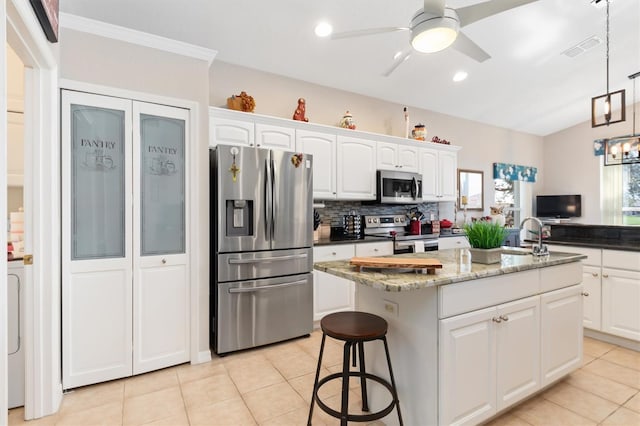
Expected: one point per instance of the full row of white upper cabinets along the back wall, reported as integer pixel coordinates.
(345, 161)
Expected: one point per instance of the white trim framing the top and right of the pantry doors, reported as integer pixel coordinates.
(194, 172)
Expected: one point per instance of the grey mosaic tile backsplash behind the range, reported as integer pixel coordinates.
(333, 211)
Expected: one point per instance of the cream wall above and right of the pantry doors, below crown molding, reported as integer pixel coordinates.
(92, 59)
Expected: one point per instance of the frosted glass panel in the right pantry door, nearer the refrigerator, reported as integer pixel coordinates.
(162, 220)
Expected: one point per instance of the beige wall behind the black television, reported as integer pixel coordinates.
(570, 166)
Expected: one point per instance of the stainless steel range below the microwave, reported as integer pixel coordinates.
(394, 227)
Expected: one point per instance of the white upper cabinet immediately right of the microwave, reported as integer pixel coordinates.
(438, 168)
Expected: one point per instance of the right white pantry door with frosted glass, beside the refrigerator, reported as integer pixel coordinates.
(160, 287)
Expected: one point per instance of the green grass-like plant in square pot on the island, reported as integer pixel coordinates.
(485, 239)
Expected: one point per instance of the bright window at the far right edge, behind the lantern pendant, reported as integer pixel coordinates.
(620, 194)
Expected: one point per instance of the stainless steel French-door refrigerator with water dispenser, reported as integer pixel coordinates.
(261, 247)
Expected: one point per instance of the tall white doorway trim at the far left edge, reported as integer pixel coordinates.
(43, 390)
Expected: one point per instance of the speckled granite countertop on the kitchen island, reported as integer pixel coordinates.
(452, 271)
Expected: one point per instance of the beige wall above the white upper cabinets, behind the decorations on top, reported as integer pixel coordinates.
(482, 145)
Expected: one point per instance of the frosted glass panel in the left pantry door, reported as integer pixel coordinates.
(97, 183)
